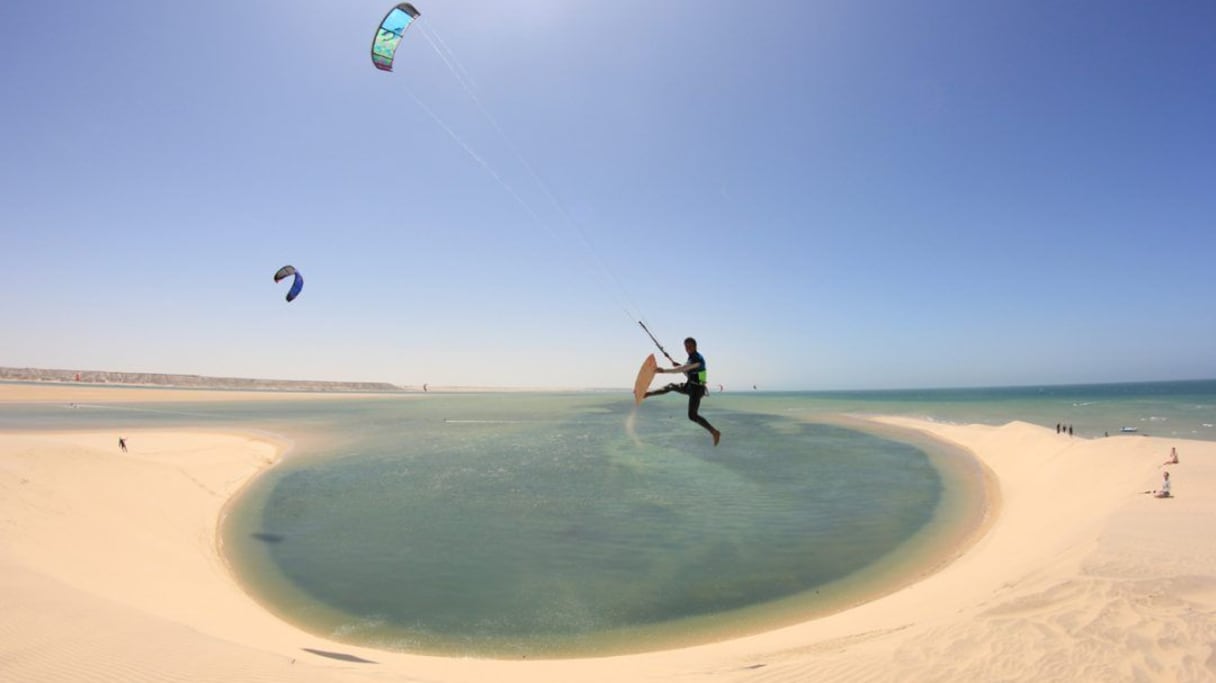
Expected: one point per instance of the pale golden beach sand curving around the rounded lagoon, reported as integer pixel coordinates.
(111, 571)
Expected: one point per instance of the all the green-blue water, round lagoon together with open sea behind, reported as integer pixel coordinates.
(570, 524)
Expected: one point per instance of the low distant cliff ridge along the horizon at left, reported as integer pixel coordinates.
(189, 381)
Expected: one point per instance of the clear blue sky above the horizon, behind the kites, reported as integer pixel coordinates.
(827, 195)
